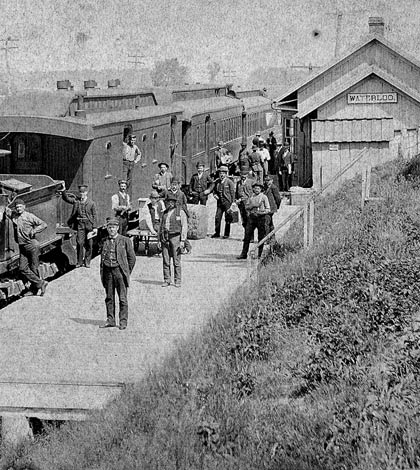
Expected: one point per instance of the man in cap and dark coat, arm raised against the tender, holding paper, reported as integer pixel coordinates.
(83, 221)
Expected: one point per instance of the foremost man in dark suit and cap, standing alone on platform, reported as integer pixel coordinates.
(117, 263)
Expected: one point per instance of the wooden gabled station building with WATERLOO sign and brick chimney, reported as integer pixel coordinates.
(370, 97)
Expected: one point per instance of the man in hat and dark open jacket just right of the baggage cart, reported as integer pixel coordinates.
(224, 193)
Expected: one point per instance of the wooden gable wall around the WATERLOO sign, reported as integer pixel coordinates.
(406, 112)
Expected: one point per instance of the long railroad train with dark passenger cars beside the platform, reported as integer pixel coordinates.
(76, 136)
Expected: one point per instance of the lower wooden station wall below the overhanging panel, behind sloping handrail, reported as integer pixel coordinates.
(329, 163)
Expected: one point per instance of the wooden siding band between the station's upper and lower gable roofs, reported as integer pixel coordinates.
(373, 53)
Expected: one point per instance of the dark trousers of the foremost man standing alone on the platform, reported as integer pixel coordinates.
(114, 281)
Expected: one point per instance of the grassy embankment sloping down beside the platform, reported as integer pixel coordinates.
(316, 366)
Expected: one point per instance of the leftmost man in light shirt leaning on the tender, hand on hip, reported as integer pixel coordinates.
(26, 227)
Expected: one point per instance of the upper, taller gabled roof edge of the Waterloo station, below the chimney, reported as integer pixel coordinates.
(367, 40)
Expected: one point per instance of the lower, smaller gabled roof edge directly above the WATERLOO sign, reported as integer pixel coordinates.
(356, 76)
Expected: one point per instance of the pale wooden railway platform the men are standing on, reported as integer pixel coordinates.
(55, 363)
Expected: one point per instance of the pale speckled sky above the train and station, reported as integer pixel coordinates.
(241, 35)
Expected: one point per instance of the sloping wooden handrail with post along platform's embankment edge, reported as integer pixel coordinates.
(308, 210)
